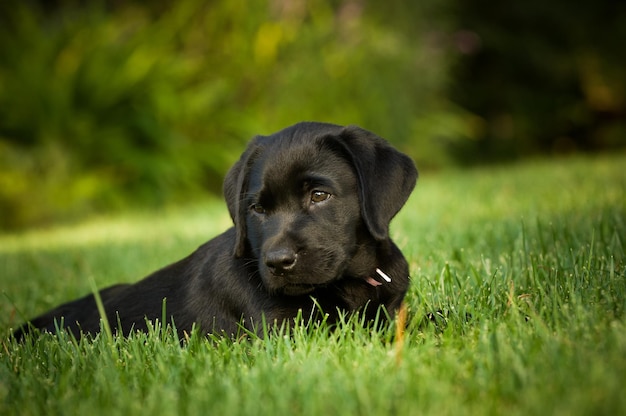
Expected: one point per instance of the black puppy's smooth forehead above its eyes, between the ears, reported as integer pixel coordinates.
(287, 163)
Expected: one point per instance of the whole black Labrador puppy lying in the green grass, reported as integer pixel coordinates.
(311, 206)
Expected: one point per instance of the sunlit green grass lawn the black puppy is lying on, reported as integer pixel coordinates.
(521, 268)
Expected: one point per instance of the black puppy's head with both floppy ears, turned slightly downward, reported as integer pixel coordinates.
(305, 200)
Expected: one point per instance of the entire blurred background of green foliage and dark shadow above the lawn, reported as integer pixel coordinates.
(107, 105)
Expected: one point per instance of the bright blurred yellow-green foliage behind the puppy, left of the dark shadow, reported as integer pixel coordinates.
(110, 102)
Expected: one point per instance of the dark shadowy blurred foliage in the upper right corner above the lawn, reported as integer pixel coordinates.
(540, 77)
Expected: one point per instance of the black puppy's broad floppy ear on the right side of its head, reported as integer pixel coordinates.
(386, 177)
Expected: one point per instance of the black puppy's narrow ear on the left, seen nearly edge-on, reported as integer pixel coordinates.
(235, 188)
